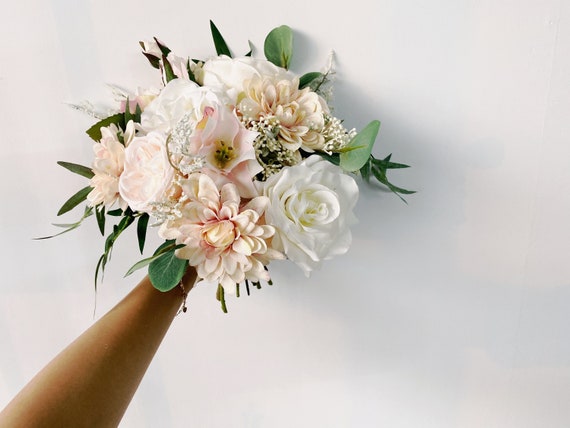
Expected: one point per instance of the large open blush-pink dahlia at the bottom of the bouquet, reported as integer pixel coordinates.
(226, 242)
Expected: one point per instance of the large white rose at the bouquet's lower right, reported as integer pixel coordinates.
(310, 206)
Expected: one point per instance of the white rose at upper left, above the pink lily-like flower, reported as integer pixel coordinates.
(178, 98)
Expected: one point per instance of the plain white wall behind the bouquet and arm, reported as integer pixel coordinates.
(450, 311)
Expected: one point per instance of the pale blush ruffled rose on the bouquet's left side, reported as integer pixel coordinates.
(147, 174)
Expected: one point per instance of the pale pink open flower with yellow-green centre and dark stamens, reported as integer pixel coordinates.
(227, 148)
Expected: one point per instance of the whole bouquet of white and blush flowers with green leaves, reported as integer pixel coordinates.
(237, 161)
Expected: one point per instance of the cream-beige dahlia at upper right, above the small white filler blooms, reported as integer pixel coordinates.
(299, 111)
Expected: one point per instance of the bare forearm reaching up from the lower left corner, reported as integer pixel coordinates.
(92, 381)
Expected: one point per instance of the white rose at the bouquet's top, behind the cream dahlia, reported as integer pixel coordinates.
(229, 74)
